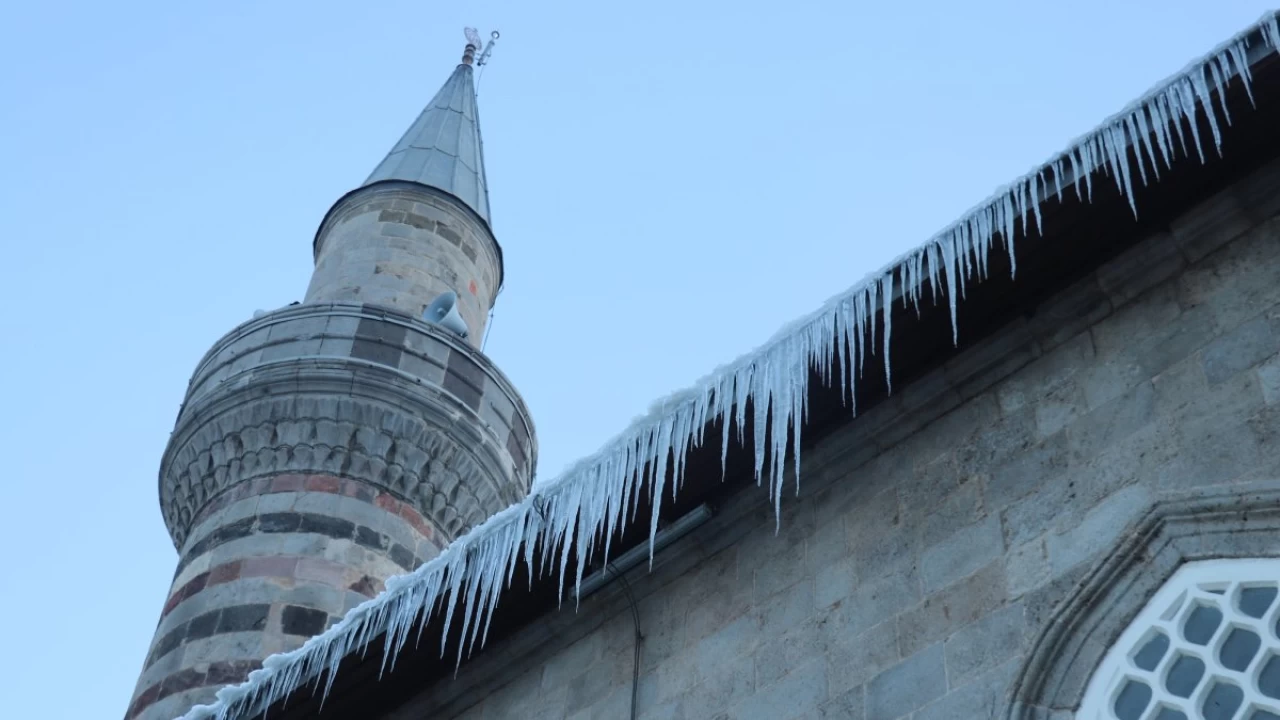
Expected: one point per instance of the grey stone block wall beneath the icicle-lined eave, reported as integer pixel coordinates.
(939, 537)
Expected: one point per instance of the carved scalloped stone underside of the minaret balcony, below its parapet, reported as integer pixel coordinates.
(452, 480)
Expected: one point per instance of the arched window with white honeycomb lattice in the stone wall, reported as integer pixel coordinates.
(1208, 646)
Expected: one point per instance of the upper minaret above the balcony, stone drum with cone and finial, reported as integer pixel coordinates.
(428, 204)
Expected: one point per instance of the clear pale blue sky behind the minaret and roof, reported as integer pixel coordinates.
(671, 183)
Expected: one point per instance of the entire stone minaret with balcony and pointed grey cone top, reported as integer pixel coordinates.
(327, 446)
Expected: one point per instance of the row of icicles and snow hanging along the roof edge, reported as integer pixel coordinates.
(589, 502)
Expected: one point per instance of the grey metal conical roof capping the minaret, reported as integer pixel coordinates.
(442, 149)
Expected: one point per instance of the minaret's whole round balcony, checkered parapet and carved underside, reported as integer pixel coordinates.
(353, 391)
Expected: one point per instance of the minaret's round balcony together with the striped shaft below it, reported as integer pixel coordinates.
(321, 450)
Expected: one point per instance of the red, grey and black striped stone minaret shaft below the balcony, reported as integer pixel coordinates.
(263, 572)
